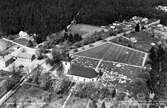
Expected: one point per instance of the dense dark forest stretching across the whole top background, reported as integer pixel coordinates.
(44, 17)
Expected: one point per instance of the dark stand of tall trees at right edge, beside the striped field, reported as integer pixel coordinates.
(158, 75)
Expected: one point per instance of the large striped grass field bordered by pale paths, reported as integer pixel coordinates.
(114, 52)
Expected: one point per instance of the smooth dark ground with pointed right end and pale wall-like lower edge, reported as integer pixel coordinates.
(82, 71)
